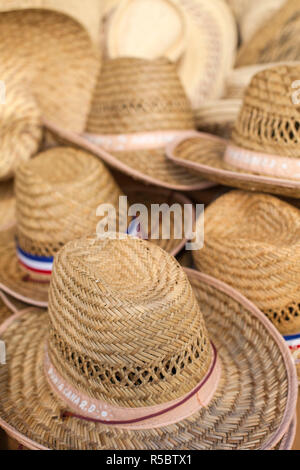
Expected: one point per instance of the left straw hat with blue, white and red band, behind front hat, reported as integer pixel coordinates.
(57, 195)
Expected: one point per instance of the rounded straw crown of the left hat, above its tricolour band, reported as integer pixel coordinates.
(57, 195)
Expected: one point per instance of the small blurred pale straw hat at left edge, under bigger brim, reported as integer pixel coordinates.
(20, 125)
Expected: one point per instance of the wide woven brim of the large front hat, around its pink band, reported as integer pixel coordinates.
(253, 406)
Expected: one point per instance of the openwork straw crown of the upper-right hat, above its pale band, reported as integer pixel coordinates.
(269, 120)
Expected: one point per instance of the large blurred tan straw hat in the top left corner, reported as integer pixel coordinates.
(57, 53)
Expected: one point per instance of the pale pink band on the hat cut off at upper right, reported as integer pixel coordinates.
(262, 163)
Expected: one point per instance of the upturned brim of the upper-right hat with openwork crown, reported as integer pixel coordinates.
(203, 154)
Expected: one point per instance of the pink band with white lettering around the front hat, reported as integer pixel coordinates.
(135, 418)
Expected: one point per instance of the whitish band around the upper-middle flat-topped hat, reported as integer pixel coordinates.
(136, 141)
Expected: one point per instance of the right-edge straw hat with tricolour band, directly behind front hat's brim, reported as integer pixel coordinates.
(252, 244)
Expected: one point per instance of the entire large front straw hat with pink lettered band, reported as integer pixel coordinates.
(161, 366)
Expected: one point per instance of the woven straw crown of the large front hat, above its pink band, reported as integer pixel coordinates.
(128, 329)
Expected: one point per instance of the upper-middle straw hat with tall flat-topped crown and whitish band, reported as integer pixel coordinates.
(138, 107)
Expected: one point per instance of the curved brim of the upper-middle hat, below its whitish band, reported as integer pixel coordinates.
(151, 167)
